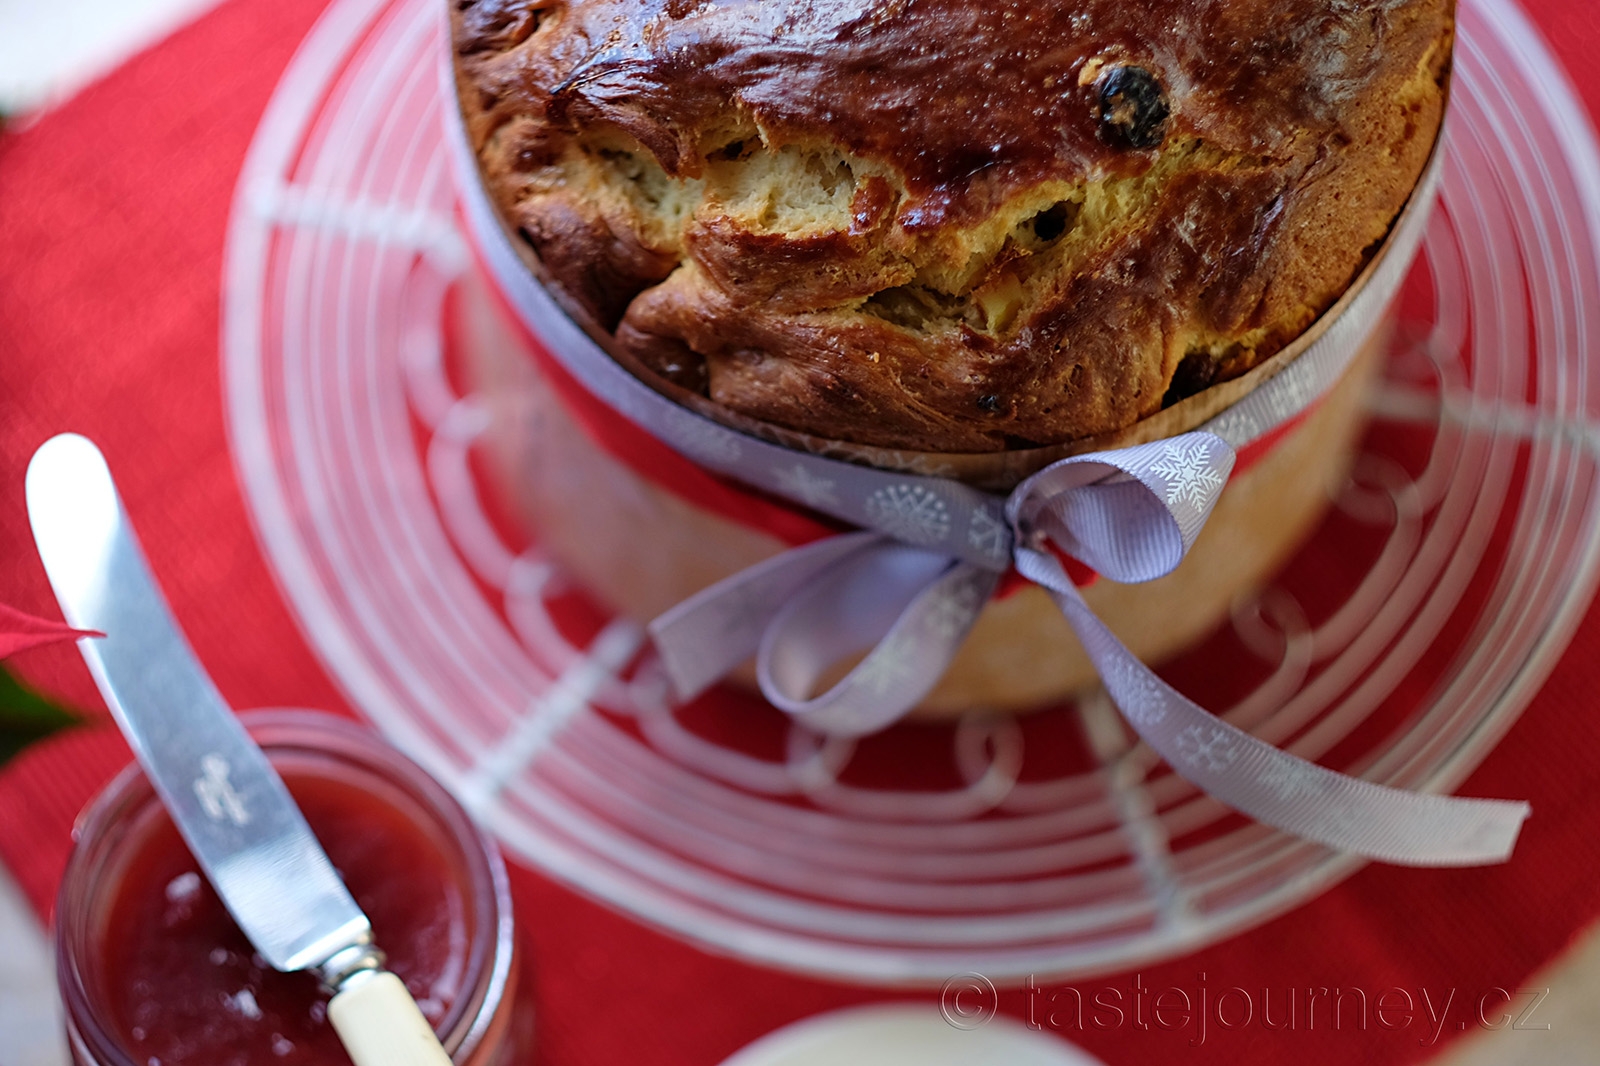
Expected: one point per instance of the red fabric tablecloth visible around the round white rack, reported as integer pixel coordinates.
(113, 215)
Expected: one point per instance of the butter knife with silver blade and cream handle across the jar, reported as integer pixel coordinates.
(226, 799)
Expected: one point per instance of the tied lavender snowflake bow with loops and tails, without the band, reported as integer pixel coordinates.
(1129, 515)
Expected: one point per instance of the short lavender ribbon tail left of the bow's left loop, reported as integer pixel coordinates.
(710, 635)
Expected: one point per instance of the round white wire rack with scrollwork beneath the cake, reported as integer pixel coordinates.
(1401, 644)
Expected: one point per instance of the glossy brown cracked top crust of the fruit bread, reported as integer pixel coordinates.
(951, 225)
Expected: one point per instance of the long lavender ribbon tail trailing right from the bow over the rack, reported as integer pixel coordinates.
(1274, 787)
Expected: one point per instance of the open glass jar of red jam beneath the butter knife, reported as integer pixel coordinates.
(153, 972)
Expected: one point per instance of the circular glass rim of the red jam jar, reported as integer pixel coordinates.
(130, 796)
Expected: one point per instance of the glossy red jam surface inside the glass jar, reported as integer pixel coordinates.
(185, 987)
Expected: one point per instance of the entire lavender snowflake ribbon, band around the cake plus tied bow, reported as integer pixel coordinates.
(908, 588)
